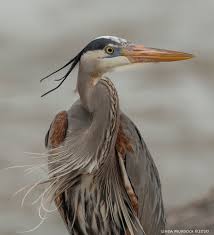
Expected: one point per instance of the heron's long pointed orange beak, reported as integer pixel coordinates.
(140, 54)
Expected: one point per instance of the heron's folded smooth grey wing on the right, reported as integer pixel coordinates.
(144, 178)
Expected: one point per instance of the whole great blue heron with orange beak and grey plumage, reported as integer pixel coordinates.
(103, 176)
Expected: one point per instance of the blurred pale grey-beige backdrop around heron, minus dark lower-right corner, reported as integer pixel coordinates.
(172, 104)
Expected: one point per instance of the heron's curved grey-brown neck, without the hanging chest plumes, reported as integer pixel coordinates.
(101, 100)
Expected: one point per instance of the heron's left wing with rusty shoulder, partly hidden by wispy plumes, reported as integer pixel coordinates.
(66, 121)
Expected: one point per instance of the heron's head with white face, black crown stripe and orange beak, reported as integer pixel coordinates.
(108, 52)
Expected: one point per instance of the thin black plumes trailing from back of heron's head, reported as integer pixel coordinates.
(73, 62)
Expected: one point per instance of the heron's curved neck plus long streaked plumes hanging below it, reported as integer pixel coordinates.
(101, 100)
